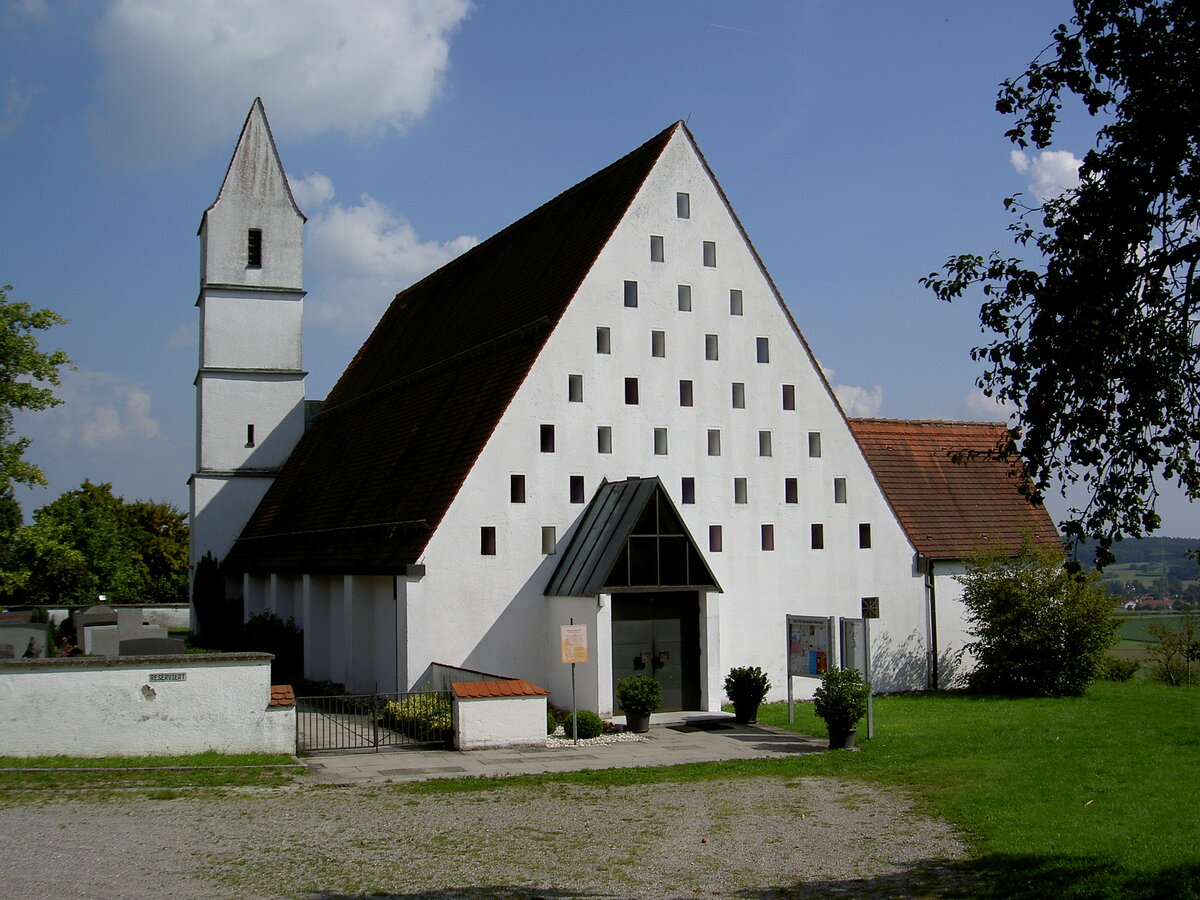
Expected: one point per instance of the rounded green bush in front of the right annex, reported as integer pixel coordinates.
(1039, 629)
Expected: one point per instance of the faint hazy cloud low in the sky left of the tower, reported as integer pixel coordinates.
(100, 411)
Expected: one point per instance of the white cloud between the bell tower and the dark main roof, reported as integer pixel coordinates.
(361, 257)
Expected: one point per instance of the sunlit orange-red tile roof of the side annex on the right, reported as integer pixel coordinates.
(950, 491)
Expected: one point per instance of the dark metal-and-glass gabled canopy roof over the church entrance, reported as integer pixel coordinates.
(631, 538)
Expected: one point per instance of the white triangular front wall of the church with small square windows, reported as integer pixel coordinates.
(489, 613)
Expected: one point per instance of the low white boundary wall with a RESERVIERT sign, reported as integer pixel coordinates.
(93, 707)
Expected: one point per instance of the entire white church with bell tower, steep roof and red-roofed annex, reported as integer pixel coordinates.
(604, 415)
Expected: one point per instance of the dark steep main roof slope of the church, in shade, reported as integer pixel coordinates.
(380, 466)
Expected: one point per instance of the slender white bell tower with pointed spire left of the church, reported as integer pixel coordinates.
(250, 409)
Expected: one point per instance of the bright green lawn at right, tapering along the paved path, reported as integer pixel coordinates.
(1083, 797)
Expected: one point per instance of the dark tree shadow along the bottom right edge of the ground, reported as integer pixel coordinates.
(994, 878)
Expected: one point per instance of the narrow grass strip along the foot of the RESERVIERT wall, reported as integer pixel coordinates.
(164, 773)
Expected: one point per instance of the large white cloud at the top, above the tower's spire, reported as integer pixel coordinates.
(178, 76)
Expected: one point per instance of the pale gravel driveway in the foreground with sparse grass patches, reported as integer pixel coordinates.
(751, 838)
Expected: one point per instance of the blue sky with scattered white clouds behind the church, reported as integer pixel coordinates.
(857, 142)
